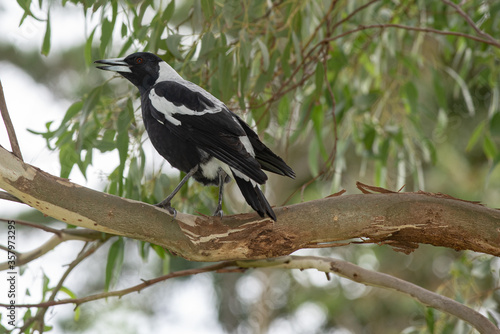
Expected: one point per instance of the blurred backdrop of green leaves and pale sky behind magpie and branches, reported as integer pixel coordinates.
(413, 111)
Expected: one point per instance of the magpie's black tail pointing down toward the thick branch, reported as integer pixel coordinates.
(253, 195)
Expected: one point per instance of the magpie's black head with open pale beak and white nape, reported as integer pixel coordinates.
(143, 69)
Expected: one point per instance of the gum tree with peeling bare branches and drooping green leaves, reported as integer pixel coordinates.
(384, 93)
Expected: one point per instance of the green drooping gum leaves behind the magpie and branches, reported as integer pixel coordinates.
(338, 100)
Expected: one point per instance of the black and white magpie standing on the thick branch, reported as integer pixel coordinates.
(197, 133)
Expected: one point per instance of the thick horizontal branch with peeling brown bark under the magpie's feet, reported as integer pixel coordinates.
(402, 220)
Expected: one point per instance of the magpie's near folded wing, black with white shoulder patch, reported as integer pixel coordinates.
(197, 117)
